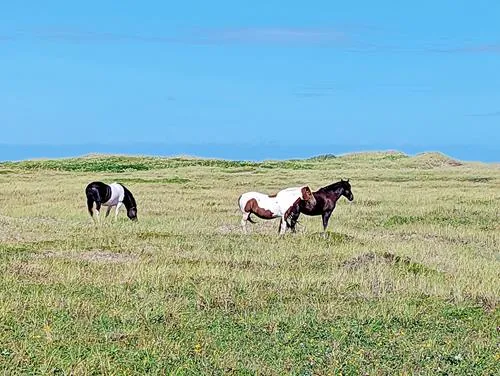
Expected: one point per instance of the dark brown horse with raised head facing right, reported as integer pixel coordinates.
(326, 199)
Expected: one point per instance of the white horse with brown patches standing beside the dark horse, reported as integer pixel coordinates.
(269, 207)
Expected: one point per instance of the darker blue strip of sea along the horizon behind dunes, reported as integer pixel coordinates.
(237, 152)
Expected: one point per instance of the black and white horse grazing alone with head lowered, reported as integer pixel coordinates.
(110, 195)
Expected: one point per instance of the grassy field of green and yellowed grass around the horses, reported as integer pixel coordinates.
(405, 282)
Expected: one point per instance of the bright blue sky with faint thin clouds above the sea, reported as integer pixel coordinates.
(284, 72)
